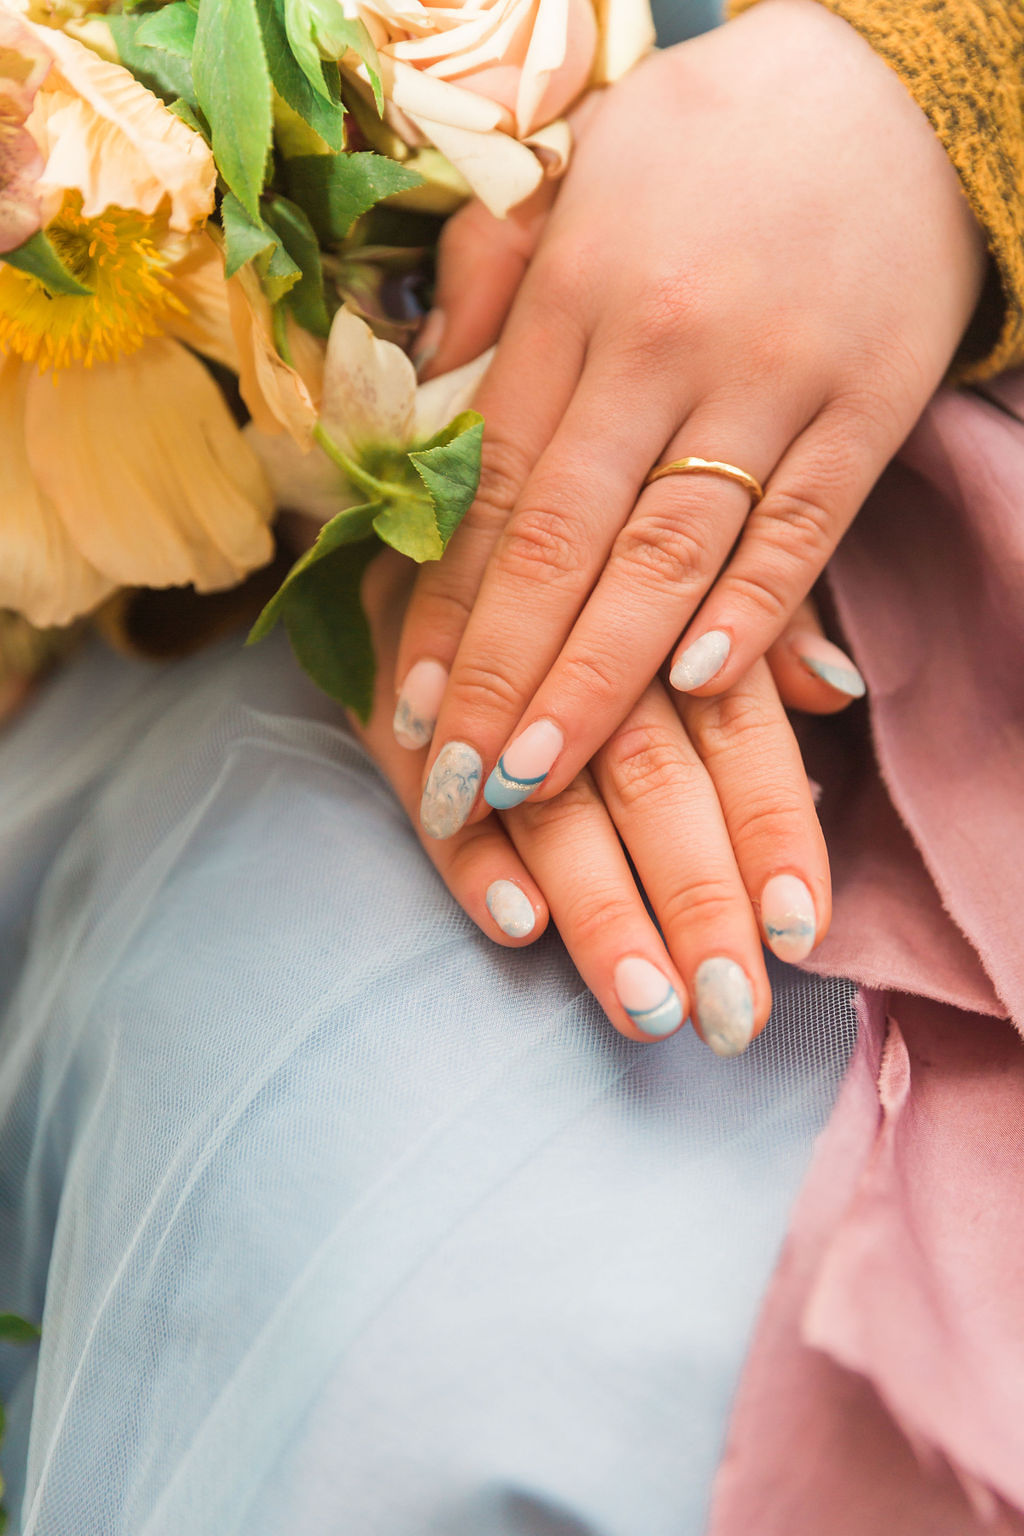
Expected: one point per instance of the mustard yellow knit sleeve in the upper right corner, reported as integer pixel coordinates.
(963, 62)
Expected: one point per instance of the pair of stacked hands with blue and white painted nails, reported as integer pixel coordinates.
(761, 256)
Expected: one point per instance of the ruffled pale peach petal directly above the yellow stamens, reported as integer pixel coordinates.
(117, 144)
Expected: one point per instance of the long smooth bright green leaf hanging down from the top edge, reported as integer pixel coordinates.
(233, 85)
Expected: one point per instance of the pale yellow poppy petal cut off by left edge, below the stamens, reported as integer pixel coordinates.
(42, 572)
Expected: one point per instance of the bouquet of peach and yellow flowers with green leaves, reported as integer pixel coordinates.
(217, 231)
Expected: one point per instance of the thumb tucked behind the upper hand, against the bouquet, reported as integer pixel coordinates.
(481, 262)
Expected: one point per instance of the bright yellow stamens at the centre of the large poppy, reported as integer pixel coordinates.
(119, 257)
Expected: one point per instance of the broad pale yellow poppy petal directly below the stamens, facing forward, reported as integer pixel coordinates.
(148, 471)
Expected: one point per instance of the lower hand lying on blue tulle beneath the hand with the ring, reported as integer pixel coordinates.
(713, 807)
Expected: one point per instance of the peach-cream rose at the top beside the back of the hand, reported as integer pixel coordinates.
(487, 81)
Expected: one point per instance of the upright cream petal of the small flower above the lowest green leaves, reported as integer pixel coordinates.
(369, 389)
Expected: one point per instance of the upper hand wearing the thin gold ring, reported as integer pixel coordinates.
(761, 256)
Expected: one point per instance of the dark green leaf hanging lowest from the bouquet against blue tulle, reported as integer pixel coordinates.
(329, 631)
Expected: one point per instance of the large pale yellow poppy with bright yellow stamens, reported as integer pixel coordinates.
(122, 463)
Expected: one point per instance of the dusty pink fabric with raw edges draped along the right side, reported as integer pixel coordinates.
(885, 1391)
